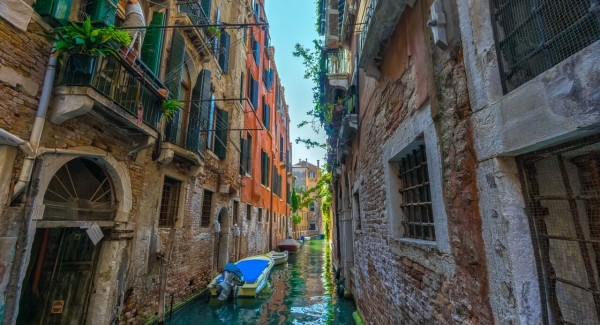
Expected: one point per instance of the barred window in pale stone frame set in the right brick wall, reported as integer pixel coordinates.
(416, 206)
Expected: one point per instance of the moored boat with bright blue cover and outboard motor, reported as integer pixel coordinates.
(255, 271)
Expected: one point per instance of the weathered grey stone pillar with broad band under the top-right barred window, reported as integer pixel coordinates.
(560, 104)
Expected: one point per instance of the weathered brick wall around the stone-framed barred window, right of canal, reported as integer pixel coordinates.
(421, 284)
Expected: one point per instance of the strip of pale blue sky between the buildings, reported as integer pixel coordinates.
(291, 22)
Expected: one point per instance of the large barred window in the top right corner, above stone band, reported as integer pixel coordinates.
(532, 36)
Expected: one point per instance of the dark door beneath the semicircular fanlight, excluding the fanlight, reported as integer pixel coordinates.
(59, 276)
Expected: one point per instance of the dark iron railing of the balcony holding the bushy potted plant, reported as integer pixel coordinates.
(126, 81)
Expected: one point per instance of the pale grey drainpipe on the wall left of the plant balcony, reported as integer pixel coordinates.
(38, 125)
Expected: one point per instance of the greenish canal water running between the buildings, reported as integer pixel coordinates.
(299, 292)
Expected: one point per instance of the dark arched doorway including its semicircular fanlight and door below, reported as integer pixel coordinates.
(64, 255)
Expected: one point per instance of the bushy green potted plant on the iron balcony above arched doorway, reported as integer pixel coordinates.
(82, 43)
